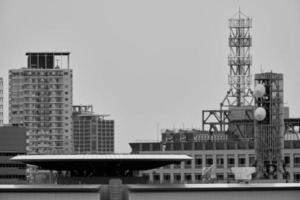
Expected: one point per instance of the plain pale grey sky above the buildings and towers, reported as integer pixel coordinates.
(153, 64)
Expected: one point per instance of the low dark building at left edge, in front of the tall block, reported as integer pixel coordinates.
(12, 143)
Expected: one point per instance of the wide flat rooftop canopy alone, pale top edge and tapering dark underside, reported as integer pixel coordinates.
(99, 163)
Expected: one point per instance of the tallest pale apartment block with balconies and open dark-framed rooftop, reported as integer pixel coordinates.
(40, 99)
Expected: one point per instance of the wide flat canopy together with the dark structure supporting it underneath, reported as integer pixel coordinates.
(87, 168)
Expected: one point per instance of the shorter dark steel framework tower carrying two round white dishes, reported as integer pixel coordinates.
(269, 133)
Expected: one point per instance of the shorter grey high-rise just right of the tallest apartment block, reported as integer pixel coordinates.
(92, 133)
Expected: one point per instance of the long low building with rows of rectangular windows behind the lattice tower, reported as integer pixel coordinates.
(221, 154)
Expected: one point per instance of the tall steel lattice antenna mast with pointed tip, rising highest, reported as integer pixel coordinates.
(239, 61)
